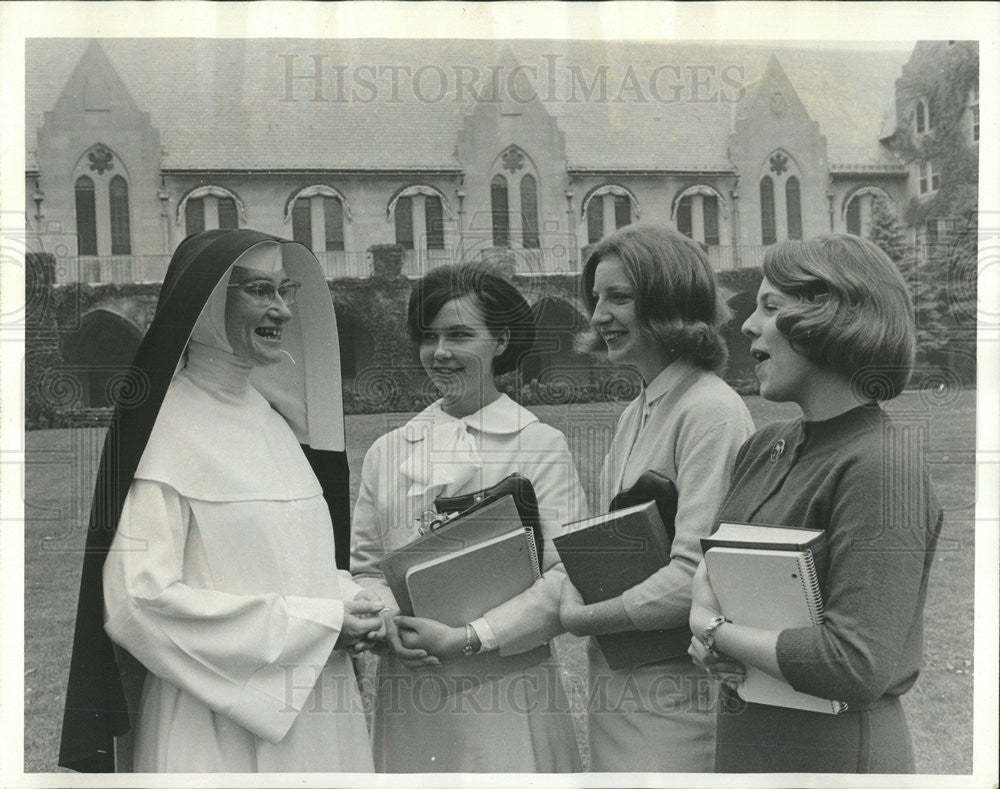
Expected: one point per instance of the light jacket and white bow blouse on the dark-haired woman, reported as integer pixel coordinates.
(435, 454)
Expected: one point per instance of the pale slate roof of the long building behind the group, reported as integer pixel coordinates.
(218, 103)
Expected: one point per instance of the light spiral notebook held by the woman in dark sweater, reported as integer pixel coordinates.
(772, 590)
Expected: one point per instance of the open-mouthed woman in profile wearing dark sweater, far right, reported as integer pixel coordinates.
(833, 332)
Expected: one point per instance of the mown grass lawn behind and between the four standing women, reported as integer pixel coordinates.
(60, 474)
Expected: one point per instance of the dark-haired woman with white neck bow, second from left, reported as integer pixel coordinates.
(469, 325)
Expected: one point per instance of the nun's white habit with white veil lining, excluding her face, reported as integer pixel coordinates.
(221, 578)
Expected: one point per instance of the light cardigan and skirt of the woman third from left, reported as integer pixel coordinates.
(687, 425)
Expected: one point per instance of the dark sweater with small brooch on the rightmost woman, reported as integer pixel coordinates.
(861, 477)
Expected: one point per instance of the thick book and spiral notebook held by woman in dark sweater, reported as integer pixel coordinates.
(768, 577)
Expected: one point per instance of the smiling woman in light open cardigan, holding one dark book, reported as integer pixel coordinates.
(655, 306)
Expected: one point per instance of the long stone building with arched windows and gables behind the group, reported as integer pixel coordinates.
(525, 151)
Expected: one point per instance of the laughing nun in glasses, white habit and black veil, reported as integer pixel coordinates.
(214, 626)
